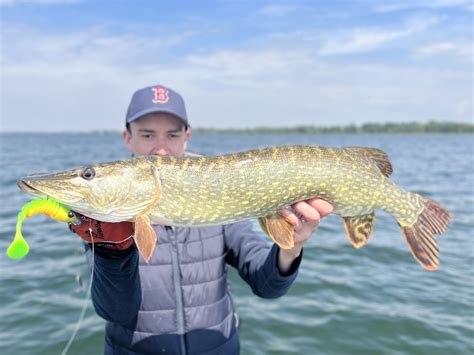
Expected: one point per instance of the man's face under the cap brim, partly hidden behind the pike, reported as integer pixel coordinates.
(157, 134)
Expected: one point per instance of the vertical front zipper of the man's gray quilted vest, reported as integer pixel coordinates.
(177, 287)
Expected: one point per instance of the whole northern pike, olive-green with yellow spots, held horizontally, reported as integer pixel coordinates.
(203, 191)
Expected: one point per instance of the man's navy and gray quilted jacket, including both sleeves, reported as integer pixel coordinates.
(179, 302)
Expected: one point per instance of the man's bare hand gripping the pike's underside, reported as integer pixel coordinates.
(305, 218)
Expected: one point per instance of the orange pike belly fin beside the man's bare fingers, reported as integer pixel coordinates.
(279, 230)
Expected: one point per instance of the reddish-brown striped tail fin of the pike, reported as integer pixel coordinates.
(433, 219)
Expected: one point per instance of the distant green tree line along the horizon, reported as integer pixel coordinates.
(436, 127)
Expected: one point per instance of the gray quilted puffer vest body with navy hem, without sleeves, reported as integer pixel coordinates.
(184, 296)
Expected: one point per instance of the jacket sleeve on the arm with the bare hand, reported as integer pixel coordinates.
(257, 261)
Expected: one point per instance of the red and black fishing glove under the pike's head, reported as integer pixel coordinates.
(113, 236)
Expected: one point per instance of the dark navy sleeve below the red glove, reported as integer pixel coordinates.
(116, 291)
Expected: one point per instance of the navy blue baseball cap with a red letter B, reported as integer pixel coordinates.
(156, 98)
